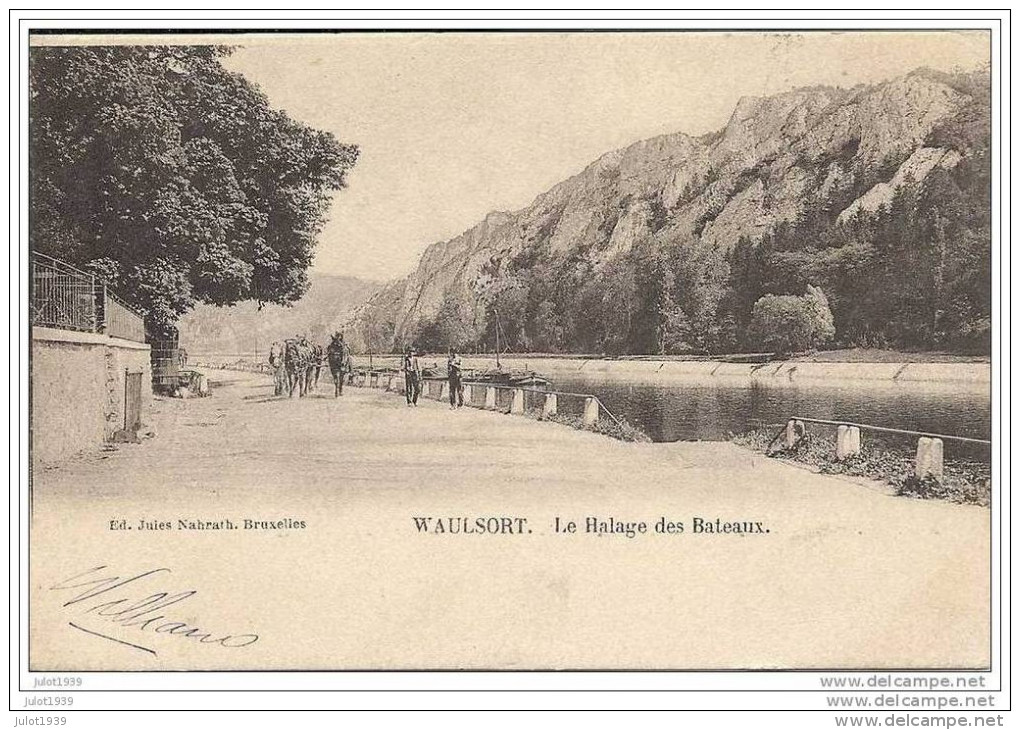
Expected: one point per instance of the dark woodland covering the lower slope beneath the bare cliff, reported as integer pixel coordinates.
(913, 275)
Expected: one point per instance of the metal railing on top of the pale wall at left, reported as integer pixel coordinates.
(67, 298)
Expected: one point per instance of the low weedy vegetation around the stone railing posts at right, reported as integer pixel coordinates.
(965, 482)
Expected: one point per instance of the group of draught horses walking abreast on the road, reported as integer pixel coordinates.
(297, 364)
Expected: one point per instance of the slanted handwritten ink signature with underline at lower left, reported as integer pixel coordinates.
(103, 599)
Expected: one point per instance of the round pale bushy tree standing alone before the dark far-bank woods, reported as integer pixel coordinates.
(786, 324)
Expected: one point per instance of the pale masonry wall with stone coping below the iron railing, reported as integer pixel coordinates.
(78, 390)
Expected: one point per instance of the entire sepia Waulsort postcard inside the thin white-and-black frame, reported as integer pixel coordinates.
(512, 350)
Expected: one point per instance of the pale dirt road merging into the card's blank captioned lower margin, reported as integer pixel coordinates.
(845, 577)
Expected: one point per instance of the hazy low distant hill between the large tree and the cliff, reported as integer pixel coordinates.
(243, 329)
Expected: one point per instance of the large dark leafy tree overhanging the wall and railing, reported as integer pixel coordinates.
(174, 179)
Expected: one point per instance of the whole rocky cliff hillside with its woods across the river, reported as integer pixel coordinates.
(879, 195)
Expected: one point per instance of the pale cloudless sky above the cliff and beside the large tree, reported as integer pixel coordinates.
(452, 127)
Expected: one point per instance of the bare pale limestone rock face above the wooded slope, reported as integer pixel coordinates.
(778, 159)
